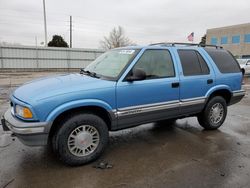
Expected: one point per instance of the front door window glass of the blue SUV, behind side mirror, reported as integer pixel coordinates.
(156, 64)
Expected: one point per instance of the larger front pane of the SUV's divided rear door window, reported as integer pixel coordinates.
(190, 63)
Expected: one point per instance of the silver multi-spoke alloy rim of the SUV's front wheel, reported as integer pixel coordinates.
(83, 140)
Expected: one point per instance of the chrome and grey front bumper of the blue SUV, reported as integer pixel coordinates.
(29, 133)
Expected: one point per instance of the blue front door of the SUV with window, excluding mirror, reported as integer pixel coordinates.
(151, 99)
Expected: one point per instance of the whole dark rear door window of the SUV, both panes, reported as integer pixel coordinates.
(192, 63)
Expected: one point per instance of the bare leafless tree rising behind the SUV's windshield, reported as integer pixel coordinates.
(115, 39)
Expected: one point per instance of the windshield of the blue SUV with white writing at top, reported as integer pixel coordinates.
(111, 63)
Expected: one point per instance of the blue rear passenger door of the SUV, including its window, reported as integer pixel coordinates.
(196, 78)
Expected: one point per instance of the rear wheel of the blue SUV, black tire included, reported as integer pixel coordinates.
(206, 120)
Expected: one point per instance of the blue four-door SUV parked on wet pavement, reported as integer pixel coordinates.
(123, 88)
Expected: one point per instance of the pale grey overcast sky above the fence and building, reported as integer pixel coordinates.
(144, 21)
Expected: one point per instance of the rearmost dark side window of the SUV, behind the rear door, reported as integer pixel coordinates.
(223, 60)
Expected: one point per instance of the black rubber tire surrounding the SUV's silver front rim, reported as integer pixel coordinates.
(60, 139)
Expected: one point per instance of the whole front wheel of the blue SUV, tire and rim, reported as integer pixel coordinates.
(81, 139)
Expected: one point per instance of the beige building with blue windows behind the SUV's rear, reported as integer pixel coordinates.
(234, 38)
